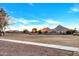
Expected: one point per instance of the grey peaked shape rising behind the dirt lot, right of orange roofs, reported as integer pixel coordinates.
(59, 30)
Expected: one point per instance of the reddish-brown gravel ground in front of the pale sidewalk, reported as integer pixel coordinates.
(17, 49)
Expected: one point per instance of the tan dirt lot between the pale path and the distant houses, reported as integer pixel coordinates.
(68, 40)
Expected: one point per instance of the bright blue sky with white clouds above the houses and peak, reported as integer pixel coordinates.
(41, 15)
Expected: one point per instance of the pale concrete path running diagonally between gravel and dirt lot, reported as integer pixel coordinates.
(44, 45)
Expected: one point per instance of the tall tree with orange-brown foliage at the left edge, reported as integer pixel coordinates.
(3, 21)
